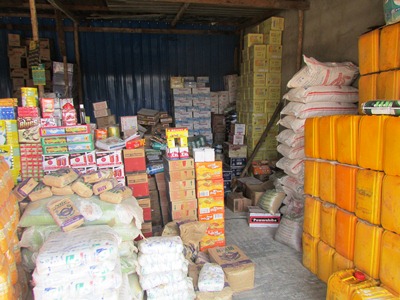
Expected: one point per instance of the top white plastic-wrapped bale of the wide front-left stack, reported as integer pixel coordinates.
(82, 246)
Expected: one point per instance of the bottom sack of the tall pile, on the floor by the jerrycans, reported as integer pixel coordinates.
(289, 232)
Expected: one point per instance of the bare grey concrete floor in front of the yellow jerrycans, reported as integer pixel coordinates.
(279, 270)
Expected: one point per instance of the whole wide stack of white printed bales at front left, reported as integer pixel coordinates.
(81, 264)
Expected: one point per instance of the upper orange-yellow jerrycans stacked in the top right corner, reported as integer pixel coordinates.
(379, 64)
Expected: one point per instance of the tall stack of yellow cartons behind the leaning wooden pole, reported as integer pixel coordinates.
(260, 83)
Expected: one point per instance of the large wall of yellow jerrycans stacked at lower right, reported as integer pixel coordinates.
(352, 183)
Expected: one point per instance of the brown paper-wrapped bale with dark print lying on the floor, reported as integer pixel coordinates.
(238, 268)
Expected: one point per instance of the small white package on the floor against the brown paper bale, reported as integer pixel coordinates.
(211, 278)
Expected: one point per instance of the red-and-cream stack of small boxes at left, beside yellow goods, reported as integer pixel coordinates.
(28, 123)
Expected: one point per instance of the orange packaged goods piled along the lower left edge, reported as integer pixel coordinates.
(13, 280)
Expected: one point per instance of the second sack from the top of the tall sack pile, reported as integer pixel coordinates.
(322, 93)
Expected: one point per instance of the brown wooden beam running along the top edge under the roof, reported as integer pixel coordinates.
(265, 4)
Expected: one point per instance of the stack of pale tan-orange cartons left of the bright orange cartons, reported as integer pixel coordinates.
(181, 190)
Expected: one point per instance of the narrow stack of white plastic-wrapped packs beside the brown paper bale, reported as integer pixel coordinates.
(163, 269)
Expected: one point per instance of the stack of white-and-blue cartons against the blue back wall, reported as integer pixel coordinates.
(192, 109)
